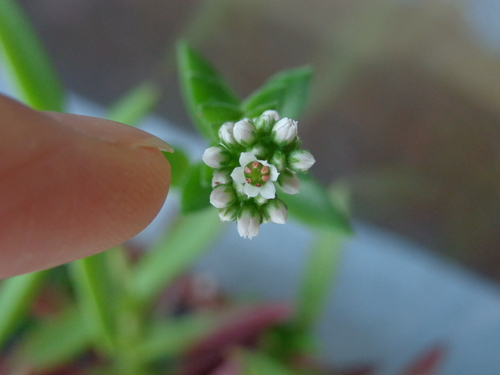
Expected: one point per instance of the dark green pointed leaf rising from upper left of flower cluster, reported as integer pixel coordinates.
(203, 87)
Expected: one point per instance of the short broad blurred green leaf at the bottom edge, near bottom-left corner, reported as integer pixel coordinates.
(54, 342)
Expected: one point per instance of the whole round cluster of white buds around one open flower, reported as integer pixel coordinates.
(253, 157)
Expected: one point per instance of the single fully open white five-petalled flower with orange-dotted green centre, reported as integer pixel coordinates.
(256, 176)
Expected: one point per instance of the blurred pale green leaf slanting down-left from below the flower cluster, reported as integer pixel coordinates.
(191, 235)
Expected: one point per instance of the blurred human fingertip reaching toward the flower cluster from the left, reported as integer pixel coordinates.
(69, 190)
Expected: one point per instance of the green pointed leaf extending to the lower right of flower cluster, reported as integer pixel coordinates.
(314, 207)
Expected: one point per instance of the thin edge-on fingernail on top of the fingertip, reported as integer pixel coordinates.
(110, 131)
